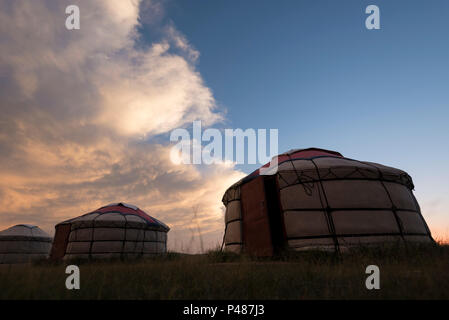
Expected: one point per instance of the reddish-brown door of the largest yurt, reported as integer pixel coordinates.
(256, 225)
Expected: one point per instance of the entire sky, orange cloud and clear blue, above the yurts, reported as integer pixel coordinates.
(86, 114)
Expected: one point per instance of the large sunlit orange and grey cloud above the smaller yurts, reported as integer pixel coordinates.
(79, 112)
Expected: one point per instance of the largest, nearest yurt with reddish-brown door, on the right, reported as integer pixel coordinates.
(318, 199)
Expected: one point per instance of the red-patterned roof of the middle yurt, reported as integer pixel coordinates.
(124, 209)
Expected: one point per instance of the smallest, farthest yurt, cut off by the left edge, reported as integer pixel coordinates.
(23, 243)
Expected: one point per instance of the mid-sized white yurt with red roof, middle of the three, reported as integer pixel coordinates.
(118, 230)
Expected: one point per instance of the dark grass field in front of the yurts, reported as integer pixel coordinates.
(413, 273)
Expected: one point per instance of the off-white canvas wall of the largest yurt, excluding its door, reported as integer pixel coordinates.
(369, 204)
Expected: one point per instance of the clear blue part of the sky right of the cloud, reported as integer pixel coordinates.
(312, 70)
